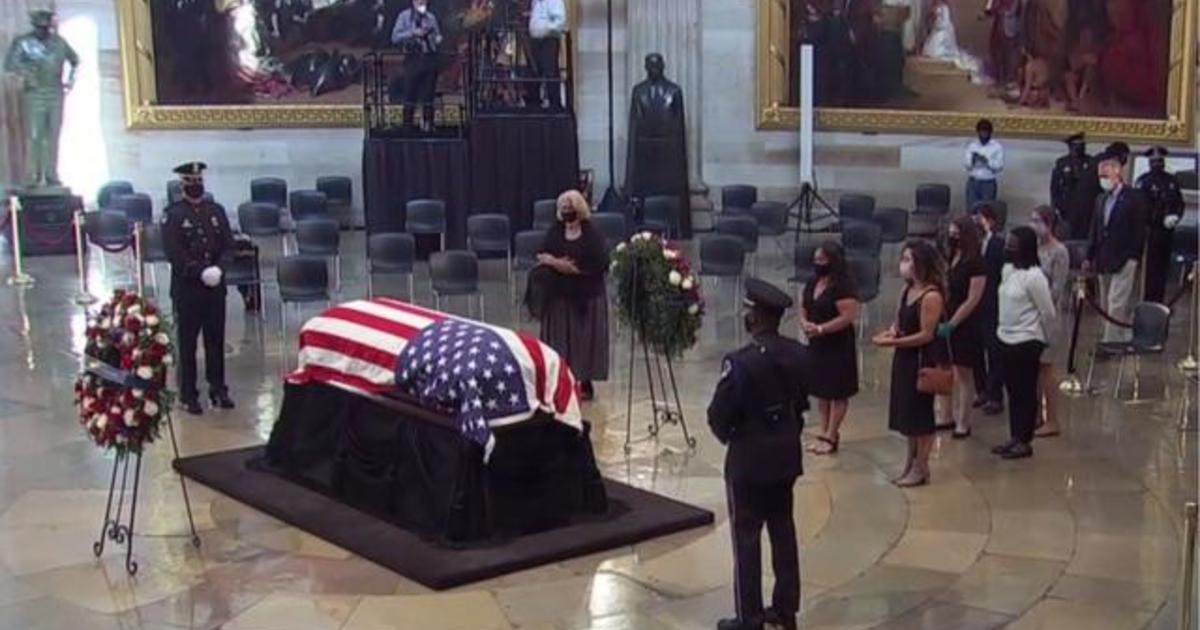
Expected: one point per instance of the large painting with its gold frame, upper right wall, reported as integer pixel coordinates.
(1115, 69)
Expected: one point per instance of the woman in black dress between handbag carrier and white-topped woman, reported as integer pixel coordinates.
(967, 280)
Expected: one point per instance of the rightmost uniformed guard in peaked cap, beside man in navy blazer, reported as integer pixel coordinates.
(1165, 199)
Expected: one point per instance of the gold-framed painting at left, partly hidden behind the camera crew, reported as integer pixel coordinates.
(242, 64)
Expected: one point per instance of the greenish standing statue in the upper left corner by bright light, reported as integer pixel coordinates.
(38, 59)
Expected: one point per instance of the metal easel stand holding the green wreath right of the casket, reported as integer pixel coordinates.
(668, 411)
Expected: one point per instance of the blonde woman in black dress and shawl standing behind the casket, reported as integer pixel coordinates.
(575, 313)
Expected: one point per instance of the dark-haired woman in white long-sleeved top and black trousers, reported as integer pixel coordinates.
(1027, 319)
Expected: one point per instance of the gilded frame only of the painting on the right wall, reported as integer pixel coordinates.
(773, 58)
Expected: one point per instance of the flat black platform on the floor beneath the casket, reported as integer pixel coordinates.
(634, 515)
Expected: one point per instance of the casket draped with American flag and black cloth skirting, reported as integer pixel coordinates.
(453, 428)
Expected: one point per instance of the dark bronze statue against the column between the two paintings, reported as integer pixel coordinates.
(658, 141)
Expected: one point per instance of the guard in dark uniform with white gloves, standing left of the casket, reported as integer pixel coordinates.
(196, 236)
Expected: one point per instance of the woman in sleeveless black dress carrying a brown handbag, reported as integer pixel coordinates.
(911, 412)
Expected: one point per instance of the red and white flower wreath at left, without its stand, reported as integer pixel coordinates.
(129, 341)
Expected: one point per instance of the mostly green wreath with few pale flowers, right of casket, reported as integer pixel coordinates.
(658, 293)
